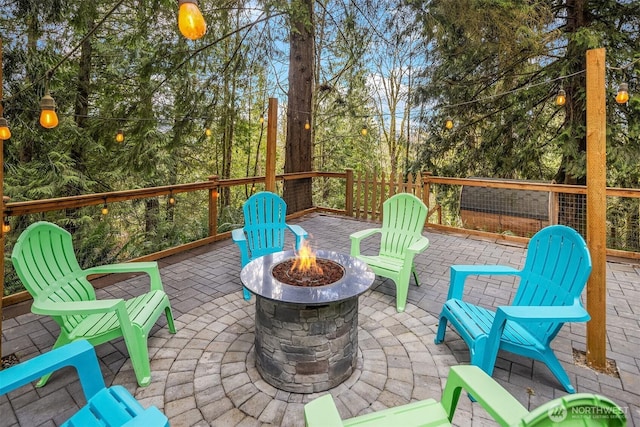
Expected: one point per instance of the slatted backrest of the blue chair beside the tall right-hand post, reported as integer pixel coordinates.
(556, 270)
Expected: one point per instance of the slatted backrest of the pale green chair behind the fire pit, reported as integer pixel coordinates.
(403, 219)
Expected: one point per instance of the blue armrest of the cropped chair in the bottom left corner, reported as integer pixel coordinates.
(79, 354)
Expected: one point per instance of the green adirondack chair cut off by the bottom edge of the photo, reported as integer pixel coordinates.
(575, 409)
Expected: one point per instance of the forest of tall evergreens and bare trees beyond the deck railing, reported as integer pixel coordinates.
(399, 69)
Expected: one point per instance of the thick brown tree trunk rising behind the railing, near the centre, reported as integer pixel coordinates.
(297, 193)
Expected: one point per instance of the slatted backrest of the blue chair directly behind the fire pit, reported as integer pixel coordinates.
(265, 222)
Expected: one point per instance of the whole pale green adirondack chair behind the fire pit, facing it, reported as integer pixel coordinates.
(401, 239)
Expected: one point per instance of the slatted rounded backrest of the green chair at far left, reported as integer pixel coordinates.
(42, 257)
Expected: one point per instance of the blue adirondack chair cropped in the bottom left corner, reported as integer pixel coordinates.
(113, 406)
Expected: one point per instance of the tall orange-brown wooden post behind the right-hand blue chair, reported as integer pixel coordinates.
(596, 207)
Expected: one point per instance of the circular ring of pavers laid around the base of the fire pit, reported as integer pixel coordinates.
(212, 379)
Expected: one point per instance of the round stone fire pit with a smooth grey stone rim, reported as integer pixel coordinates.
(306, 337)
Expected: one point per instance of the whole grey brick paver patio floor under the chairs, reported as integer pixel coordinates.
(205, 373)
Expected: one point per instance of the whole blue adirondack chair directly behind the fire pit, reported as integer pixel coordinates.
(264, 229)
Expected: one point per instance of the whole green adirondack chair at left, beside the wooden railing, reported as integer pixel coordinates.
(45, 261)
